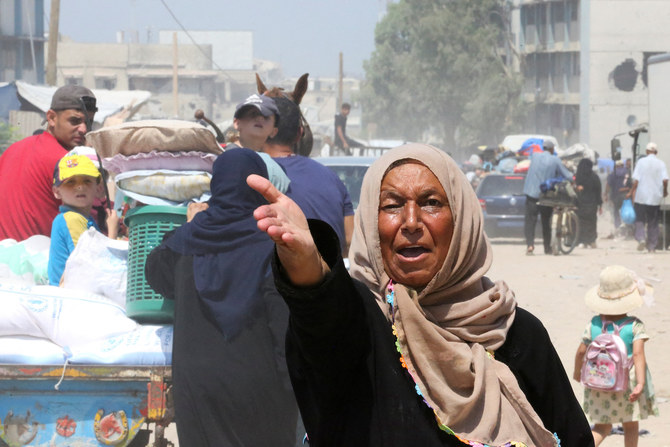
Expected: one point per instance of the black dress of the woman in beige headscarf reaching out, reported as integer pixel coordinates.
(352, 389)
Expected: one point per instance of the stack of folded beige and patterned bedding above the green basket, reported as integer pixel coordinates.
(158, 162)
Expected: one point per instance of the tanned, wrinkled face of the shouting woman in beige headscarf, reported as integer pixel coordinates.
(415, 224)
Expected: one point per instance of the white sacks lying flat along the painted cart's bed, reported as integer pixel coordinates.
(48, 325)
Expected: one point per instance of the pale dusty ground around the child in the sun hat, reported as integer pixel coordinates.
(553, 288)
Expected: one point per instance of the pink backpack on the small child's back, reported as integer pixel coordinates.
(606, 364)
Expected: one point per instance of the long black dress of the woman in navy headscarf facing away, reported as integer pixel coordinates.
(227, 392)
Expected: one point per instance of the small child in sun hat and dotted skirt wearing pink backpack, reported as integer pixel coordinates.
(610, 360)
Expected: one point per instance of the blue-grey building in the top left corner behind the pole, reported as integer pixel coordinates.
(22, 40)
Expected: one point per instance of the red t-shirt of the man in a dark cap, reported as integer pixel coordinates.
(27, 204)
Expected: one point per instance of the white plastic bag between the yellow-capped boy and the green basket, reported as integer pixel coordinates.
(98, 265)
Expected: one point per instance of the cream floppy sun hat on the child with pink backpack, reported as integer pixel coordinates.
(619, 292)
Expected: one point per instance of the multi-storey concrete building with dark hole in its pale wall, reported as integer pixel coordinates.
(584, 65)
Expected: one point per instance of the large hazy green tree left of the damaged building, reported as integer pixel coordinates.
(439, 72)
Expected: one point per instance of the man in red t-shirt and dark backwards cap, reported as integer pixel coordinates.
(27, 203)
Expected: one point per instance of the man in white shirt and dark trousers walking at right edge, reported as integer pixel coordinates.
(650, 186)
